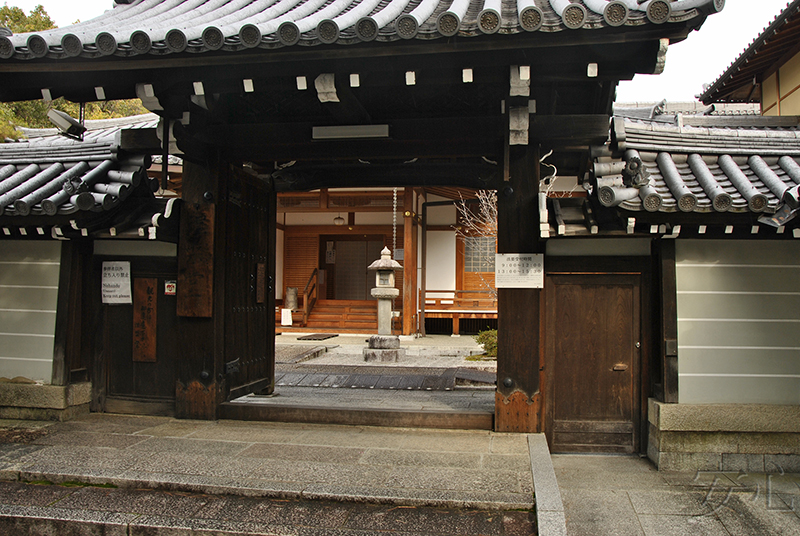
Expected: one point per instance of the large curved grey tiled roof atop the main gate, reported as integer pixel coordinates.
(174, 26)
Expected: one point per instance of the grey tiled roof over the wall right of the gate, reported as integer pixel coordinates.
(700, 170)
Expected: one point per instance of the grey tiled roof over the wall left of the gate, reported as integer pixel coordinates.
(63, 186)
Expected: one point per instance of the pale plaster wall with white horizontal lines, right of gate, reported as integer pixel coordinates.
(738, 341)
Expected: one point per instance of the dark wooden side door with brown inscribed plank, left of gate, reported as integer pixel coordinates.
(140, 345)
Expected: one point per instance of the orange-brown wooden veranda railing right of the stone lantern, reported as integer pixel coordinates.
(456, 304)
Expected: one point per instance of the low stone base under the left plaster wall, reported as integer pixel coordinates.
(30, 401)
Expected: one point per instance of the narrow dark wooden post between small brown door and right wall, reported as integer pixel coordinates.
(668, 350)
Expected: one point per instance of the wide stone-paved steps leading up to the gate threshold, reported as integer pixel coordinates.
(237, 473)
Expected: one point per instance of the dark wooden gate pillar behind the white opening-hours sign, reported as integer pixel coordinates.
(518, 401)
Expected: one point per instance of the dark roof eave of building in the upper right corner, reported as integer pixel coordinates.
(741, 81)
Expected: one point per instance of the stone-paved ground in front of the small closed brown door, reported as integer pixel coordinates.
(626, 496)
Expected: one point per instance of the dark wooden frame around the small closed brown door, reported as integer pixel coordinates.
(633, 266)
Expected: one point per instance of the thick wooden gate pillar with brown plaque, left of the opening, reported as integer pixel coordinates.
(201, 270)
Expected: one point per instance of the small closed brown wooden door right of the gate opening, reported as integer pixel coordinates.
(592, 368)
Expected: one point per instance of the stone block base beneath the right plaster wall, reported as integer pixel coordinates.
(724, 437)
